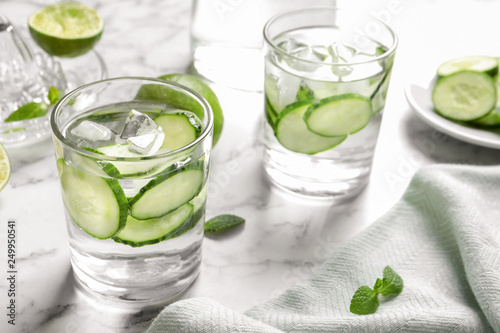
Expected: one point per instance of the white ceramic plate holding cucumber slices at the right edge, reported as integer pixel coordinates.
(420, 99)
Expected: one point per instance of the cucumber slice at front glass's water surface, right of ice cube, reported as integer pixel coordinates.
(178, 129)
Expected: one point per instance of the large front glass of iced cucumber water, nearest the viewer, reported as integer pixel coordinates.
(133, 158)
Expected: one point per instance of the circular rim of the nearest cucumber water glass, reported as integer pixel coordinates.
(204, 134)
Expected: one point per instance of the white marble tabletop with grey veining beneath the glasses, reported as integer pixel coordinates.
(285, 238)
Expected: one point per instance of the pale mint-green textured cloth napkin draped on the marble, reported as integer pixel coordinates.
(442, 237)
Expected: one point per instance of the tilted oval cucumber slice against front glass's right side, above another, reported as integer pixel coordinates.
(167, 192)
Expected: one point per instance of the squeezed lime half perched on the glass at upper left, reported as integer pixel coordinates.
(66, 29)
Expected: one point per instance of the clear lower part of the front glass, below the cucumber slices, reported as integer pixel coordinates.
(150, 275)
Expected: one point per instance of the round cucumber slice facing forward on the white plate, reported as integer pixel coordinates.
(464, 96)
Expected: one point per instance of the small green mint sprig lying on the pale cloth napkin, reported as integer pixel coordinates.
(366, 300)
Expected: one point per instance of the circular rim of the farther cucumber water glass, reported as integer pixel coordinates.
(384, 55)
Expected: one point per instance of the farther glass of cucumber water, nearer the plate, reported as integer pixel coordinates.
(327, 73)
